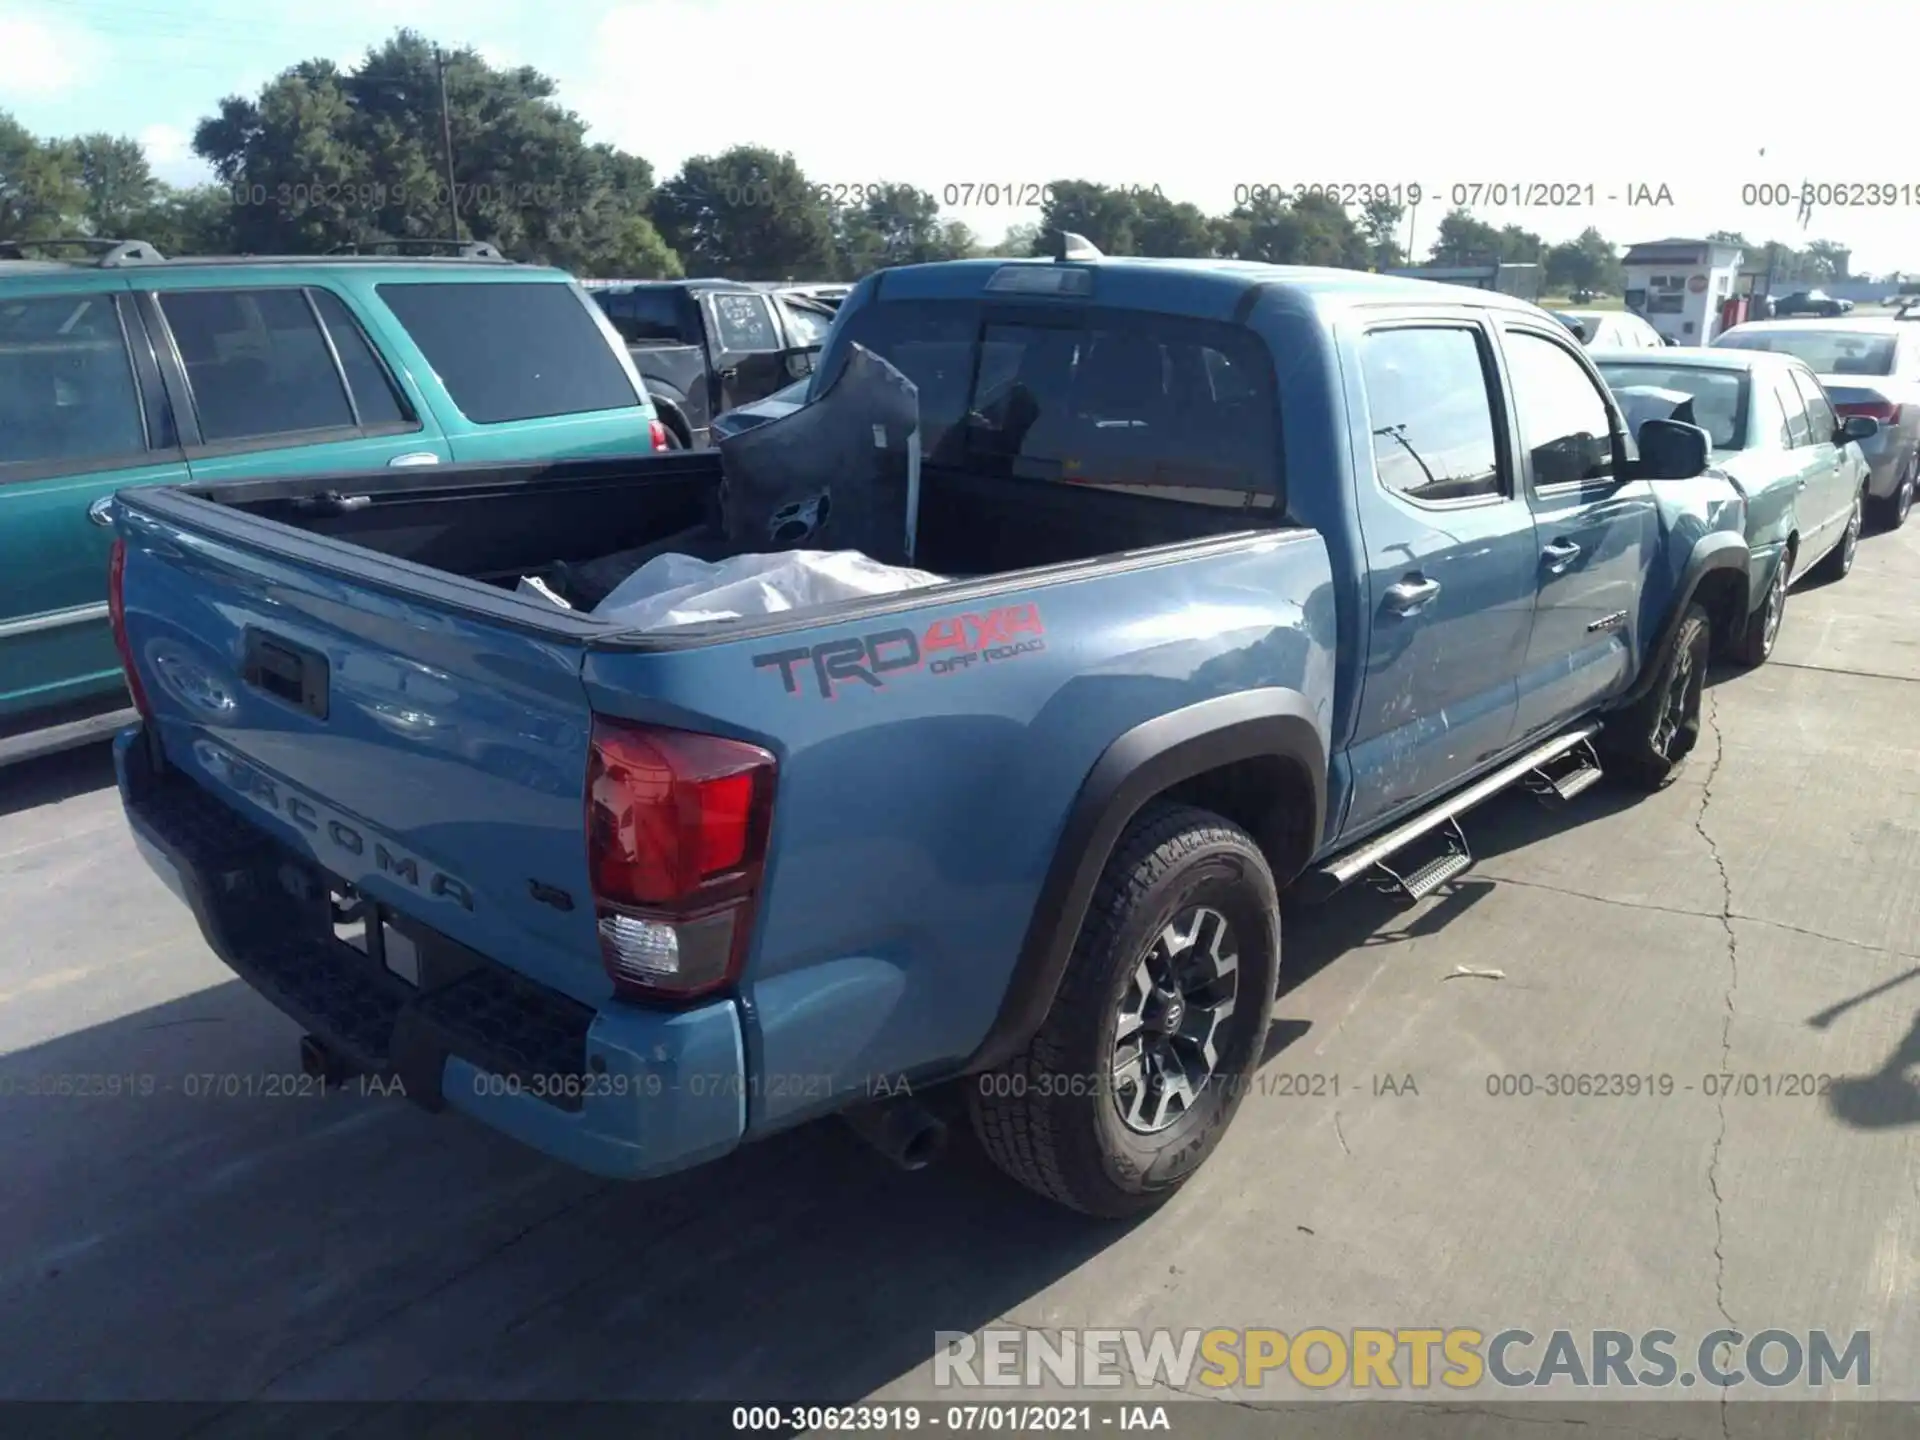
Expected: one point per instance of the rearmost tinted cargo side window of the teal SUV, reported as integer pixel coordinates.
(514, 352)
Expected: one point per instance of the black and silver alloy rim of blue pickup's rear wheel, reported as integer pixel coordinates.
(1168, 1030)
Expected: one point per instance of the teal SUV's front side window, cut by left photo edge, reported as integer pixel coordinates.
(66, 383)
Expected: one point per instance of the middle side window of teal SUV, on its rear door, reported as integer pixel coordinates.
(256, 362)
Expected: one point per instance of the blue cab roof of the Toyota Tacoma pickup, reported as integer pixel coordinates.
(1195, 287)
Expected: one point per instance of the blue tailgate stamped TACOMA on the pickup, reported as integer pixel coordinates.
(425, 752)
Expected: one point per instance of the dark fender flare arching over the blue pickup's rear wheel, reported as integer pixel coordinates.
(1130, 773)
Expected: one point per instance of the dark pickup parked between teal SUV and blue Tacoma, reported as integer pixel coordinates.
(709, 347)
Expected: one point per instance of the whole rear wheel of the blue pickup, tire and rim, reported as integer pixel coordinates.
(1161, 1019)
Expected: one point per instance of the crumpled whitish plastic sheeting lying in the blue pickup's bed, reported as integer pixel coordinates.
(681, 590)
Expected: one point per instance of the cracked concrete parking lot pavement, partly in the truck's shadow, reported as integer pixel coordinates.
(1756, 919)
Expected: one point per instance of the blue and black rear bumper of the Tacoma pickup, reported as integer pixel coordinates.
(617, 1092)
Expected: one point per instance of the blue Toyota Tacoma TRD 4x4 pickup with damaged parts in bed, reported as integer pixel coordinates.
(1253, 577)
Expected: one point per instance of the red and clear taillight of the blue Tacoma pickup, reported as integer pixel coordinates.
(677, 838)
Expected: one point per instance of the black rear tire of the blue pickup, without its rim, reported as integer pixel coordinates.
(1049, 1116)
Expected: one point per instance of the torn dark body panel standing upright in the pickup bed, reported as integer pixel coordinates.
(840, 473)
